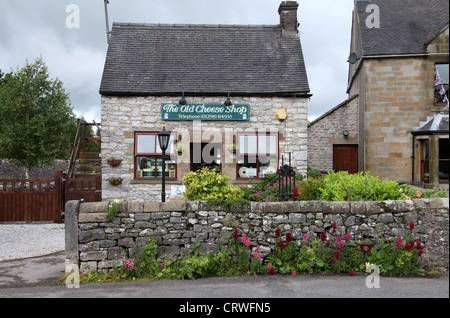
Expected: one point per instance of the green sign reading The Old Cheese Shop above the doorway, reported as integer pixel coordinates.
(205, 112)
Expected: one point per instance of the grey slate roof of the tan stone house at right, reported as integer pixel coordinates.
(405, 25)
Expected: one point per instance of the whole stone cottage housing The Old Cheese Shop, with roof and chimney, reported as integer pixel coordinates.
(233, 97)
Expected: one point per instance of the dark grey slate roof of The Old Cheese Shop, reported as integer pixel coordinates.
(157, 59)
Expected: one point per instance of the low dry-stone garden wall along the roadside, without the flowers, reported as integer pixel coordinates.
(95, 243)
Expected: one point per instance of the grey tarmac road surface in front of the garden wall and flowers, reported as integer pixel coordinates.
(40, 277)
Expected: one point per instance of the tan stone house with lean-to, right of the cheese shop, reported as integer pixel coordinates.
(395, 122)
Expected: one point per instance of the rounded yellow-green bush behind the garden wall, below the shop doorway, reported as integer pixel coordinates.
(207, 184)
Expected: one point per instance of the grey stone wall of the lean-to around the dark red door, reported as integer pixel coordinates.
(327, 130)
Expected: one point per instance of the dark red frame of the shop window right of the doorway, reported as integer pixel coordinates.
(240, 154)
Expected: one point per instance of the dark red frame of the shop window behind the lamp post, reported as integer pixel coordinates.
(157, 155)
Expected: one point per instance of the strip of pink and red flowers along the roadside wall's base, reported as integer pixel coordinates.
(399, 256)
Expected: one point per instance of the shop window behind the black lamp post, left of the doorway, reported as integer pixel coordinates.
(148, 157)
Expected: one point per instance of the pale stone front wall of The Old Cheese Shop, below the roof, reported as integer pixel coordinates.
(123, 116)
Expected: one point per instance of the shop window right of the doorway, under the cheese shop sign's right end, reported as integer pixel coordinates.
(257, 155)
